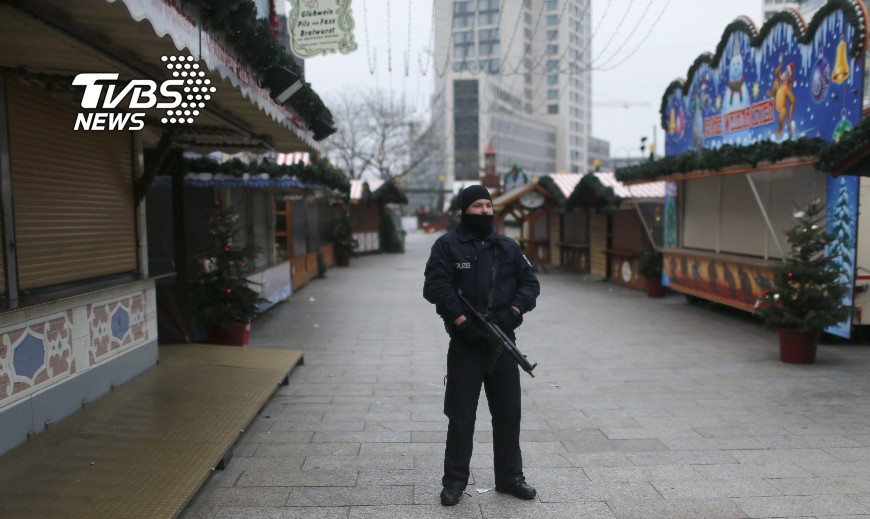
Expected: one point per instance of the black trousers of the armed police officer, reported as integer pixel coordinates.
(468, 369)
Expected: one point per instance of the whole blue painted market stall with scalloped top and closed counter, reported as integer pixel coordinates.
(743, 135)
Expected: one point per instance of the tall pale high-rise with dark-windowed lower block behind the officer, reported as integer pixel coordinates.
(512, 73)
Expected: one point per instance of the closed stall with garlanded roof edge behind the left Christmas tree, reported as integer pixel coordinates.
(285, 212)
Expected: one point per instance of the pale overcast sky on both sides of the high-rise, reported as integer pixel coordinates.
(651, 43)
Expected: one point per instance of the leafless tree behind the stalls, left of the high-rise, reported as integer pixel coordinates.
(378, 135)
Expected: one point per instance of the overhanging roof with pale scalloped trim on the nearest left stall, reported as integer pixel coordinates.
(61, 39)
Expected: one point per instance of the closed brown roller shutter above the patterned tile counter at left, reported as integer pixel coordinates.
(73, 193)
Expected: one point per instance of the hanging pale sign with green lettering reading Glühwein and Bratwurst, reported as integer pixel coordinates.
(321, 27)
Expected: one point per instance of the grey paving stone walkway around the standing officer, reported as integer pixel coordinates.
(640, 408)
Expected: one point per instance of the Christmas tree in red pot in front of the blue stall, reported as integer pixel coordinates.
(806, 295)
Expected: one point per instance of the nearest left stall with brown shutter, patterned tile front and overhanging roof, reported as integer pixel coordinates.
(84, 136)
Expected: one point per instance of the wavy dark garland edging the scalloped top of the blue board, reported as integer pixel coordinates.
(852, 12)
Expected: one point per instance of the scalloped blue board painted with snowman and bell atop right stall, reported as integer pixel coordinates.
(787, 80)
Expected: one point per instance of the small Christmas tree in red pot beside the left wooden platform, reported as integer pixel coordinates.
(223, 299)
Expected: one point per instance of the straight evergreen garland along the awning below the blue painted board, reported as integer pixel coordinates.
(726, 156)
